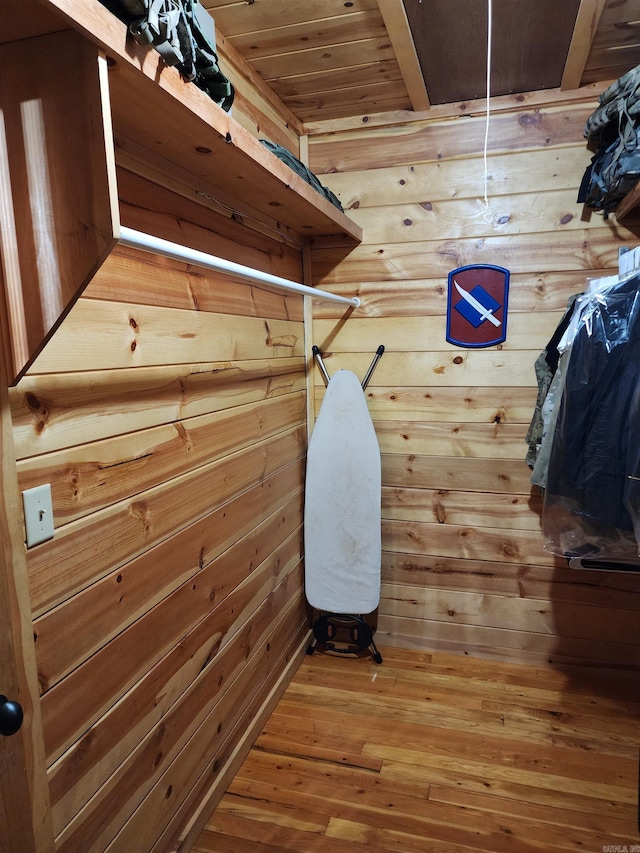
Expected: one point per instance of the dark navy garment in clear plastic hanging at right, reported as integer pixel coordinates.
(587, 502)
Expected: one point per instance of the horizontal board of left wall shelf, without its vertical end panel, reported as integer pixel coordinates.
(179, 137)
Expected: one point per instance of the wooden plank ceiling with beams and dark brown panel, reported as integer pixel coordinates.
(329, 59)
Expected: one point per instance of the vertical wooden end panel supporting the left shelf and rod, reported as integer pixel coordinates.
(58, 197)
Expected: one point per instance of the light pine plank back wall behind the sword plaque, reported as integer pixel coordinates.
(464, 567)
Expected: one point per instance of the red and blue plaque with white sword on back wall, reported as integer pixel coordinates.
(477, 299)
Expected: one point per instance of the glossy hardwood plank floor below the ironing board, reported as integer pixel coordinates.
(433, 753)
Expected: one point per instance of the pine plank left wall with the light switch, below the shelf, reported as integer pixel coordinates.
(169, 415)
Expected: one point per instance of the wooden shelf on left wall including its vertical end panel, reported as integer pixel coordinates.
(95, 99)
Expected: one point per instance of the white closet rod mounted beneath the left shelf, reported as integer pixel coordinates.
(137, 240)
